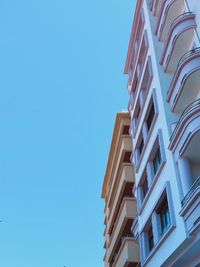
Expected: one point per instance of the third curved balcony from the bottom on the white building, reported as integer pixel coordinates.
(184, 87)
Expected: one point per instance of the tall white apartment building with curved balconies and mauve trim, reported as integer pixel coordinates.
(163, 68)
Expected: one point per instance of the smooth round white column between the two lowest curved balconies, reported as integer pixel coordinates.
(185, 174)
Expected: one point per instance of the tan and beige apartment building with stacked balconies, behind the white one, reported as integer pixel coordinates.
(120, 206)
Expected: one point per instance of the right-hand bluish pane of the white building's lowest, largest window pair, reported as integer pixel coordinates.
(163, 212)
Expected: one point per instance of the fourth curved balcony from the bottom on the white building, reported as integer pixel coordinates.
(179, 40)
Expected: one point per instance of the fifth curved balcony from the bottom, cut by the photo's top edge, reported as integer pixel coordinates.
(170, 10)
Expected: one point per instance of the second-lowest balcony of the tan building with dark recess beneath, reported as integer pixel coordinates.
(122, 227)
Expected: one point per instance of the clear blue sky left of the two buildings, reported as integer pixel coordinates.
(61, 84)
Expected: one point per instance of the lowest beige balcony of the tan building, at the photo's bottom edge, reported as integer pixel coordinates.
(128, 255)
